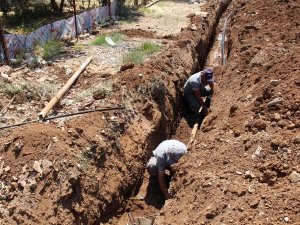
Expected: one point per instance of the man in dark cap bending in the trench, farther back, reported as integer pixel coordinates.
(197, 86)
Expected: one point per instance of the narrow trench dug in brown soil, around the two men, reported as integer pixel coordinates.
(148, 200)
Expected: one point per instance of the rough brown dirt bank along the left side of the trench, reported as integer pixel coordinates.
(97, 161)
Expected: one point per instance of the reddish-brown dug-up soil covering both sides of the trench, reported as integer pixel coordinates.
(91, 165)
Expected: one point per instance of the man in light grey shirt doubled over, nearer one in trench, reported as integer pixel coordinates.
(165, 155)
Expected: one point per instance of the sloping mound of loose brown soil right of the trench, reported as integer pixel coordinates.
(245, 168)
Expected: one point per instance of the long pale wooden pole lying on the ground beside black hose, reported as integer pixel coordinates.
(64, 89)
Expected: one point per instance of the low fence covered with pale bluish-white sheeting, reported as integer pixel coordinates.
(16, 43)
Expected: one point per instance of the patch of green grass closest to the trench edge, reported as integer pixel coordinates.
(138, 55)
